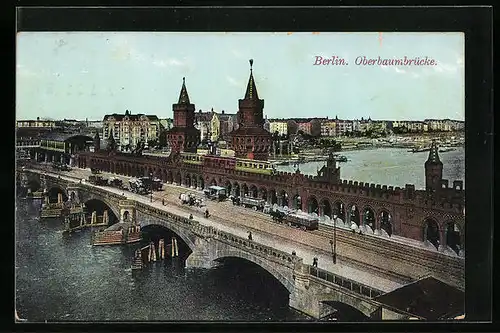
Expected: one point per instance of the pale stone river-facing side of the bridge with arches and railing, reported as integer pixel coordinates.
(308, 287)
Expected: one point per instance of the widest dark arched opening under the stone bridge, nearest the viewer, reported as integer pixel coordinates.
(250, 283)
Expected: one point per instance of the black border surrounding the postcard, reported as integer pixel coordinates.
(476, 22)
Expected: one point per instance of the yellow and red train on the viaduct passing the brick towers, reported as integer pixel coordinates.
(229, 163)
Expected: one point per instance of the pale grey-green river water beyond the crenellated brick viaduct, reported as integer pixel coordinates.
(390, 166)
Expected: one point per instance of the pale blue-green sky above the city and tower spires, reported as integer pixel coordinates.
(86, 75)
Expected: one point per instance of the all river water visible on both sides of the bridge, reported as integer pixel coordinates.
(62, 277)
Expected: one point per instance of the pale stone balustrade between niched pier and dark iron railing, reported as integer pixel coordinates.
(236, 241)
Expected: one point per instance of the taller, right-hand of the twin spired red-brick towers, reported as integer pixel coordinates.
(251, 140)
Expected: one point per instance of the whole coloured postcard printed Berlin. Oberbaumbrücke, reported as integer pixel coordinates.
(231, 176)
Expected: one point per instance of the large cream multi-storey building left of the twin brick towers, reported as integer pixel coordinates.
(129, 129)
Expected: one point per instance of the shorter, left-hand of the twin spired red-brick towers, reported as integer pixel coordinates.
(183, 136)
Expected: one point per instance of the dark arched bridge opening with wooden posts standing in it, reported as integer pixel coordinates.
(154, 232)
